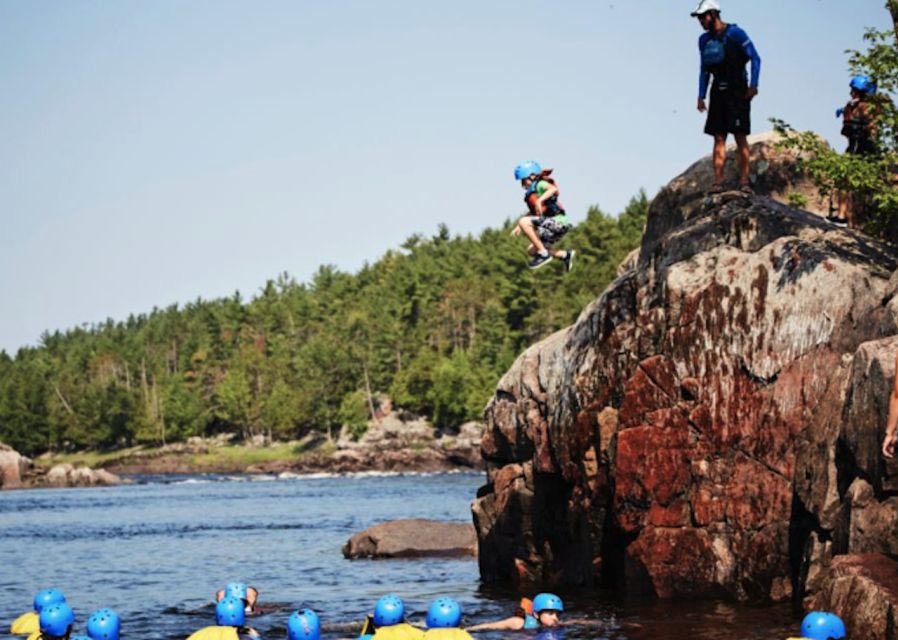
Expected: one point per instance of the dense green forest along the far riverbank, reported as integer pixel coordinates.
(433, 324)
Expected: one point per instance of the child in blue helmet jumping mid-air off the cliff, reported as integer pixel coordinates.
(546, 222)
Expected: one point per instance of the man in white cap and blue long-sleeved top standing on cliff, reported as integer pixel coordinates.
(724, 50)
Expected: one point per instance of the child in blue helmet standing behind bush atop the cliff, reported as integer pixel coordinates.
(859, 118)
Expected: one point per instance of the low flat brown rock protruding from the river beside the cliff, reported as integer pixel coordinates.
(413, 537)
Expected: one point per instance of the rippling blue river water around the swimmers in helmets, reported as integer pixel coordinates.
(157, 550)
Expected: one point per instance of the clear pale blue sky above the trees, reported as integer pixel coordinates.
(156, 152)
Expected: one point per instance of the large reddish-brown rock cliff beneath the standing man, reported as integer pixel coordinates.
(710, 426)
